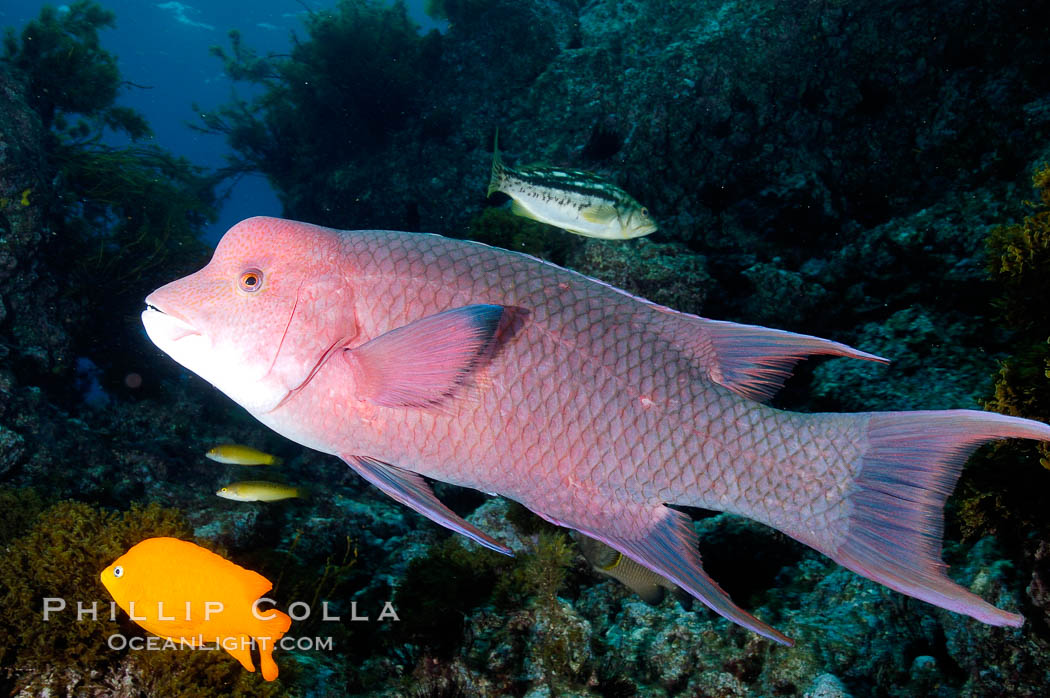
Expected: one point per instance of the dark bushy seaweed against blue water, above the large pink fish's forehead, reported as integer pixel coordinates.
(337, 99)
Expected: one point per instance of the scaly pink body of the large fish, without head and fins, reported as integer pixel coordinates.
(592, 407)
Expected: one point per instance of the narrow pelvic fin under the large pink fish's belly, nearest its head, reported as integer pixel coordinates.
(413, 492)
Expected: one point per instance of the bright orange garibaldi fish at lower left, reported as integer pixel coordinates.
(185, 594)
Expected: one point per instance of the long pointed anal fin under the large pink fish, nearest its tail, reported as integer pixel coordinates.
(664, 541)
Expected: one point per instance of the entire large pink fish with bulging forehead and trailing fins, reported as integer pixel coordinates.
(410, 355)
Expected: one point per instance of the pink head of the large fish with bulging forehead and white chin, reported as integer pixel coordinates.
(249, 323)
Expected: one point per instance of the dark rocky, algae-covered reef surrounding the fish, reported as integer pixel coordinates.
(872, 173)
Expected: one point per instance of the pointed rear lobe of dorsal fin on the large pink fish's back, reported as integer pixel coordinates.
(755, 362)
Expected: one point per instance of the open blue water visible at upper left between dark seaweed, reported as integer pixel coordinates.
(163, 53)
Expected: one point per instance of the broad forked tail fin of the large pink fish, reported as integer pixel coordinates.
(906, 476)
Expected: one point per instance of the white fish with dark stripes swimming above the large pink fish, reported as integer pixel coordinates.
(575, 201)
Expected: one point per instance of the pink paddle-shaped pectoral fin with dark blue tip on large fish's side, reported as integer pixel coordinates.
(424, 363)
